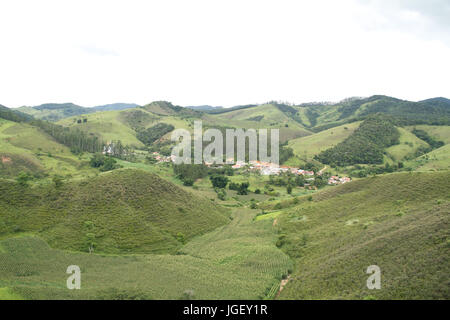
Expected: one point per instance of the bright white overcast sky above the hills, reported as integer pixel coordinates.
(222, 52)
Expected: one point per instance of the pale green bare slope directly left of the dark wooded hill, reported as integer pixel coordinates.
(314, 144)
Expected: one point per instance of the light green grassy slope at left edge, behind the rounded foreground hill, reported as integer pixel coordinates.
(27, 148)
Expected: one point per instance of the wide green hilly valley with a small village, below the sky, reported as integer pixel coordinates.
(361, 182)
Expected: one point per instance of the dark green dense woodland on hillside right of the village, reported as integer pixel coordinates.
(365, 146)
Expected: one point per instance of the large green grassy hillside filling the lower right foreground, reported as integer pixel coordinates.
(399, 222)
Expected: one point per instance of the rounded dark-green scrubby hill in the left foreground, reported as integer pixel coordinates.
(131, 211)
